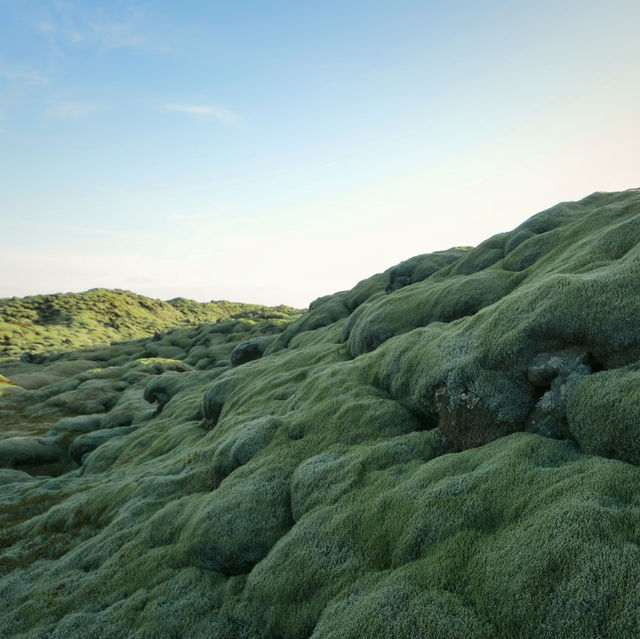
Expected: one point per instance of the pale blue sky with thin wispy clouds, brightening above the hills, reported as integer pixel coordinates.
(275, 151)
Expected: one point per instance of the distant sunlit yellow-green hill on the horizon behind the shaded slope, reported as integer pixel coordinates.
(68, 320)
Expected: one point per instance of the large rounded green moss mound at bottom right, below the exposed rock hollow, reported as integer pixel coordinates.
(458, 545)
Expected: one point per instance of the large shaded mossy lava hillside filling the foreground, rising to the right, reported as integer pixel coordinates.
(450, 449)
